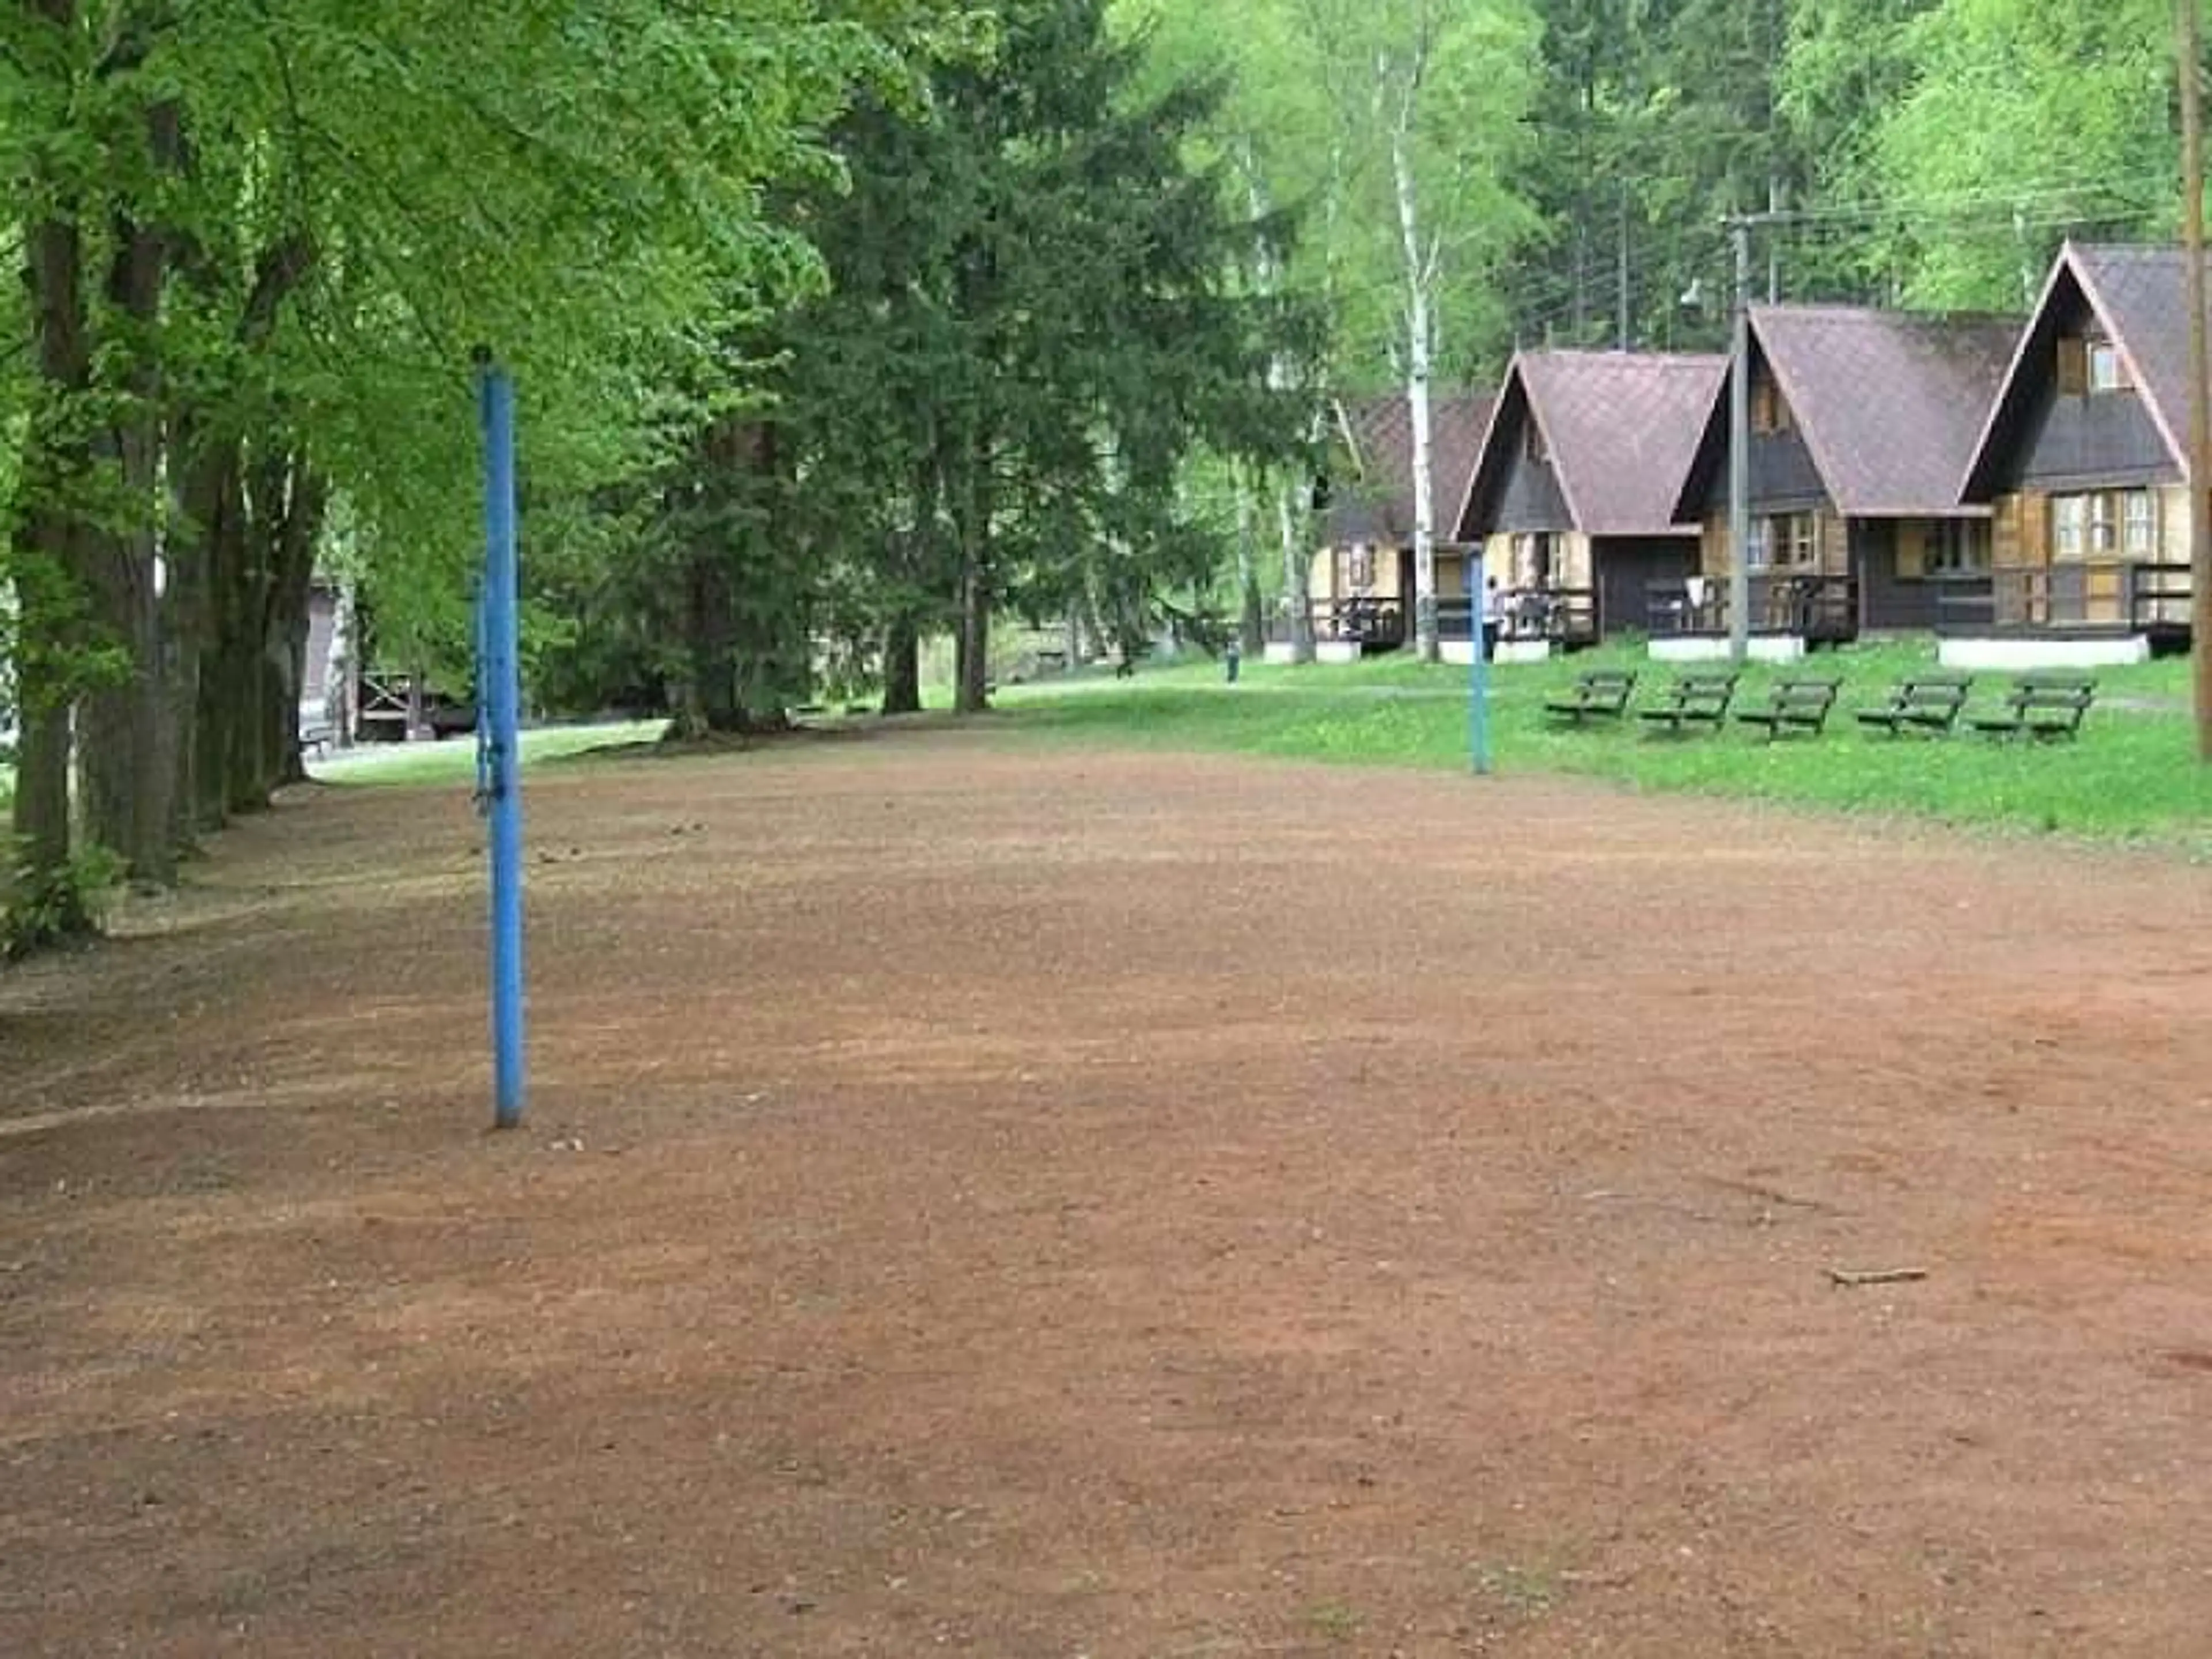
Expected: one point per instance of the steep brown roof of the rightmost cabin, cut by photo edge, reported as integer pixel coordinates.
(2142, 300)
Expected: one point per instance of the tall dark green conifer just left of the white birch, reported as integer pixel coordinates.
(1030, 328)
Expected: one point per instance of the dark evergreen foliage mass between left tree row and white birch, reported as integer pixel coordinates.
(1030, 324)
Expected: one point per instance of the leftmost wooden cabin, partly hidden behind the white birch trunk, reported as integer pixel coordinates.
(1364, 574)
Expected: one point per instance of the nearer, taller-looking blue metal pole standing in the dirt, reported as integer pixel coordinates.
(501, 709)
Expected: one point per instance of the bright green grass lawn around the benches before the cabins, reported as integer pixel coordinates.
(2133, 775)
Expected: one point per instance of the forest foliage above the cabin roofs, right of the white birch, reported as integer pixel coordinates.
(1921, 152)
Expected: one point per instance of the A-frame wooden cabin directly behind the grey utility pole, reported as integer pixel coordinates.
(1859, 426)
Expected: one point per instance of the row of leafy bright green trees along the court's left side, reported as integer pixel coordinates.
(258, 242)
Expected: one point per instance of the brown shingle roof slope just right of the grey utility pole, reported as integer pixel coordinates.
(1890, 404)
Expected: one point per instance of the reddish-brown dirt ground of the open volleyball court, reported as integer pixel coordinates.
(1025, 1202)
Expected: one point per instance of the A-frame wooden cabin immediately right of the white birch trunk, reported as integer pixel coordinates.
(1574, 490)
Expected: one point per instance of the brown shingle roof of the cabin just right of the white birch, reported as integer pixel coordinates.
(1623, 430)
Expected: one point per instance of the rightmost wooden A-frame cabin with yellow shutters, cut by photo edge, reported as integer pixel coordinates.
(2083, 463)
